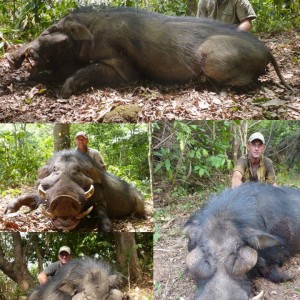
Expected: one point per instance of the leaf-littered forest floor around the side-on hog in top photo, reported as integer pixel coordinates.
(22, 100)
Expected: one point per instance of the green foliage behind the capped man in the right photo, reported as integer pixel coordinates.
(194, 156)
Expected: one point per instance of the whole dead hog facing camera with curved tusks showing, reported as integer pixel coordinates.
(71, 185)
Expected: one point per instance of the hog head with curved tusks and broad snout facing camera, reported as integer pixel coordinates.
(65, 185)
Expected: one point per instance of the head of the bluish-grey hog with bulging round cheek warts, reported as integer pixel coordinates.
(219, 260)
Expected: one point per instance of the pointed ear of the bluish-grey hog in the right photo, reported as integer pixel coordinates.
(260, 240)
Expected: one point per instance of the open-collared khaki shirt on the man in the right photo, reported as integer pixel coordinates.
(265, 170)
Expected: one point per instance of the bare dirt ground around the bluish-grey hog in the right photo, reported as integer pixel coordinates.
(172, 281)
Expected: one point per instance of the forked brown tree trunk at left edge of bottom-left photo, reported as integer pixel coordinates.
(15, 269)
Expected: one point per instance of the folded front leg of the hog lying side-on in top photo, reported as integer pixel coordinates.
(112, 71)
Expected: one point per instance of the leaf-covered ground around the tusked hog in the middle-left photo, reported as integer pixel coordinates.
(34, 221)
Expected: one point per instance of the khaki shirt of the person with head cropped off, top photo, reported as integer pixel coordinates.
(228, 11)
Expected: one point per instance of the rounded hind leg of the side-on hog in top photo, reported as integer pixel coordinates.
(231, 60)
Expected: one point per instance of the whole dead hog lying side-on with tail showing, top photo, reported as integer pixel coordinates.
(121, 45)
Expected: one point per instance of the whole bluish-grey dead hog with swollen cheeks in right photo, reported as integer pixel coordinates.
(241, 233)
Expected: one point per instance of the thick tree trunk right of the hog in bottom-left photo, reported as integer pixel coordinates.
(127, 259)
